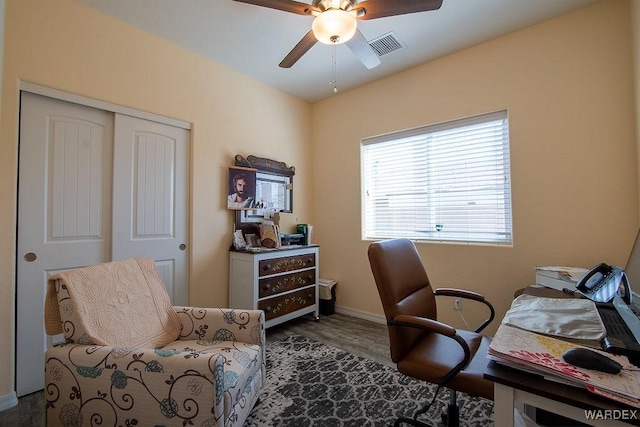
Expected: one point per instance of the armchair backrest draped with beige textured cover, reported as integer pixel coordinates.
(120, 303)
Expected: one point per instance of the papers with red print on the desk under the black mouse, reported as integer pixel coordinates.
(542, 355)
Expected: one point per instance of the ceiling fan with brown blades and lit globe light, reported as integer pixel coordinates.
(336, 22)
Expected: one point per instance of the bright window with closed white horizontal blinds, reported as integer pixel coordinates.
(443, 182)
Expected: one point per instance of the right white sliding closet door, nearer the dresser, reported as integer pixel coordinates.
(150, 193)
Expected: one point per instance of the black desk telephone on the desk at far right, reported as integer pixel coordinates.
(601, 283)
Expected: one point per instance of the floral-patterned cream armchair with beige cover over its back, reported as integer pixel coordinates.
(131, 359)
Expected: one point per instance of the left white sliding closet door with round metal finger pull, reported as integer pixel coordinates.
(64, 212)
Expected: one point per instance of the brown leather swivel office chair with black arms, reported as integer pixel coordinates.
(421, 346)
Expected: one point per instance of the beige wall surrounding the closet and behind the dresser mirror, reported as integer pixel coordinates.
(70, 47)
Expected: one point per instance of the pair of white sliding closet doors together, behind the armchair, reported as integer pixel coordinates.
(94, 186)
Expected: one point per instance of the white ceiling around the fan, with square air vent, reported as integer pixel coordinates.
(253, 40)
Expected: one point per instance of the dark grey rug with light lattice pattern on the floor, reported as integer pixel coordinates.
(313, 384)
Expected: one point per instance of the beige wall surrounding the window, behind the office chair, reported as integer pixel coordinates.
(568, 87)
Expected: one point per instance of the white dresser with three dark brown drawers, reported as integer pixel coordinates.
(282, 282)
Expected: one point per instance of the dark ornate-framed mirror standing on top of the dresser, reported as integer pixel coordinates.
(274, 189)
